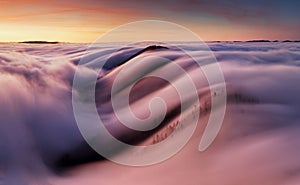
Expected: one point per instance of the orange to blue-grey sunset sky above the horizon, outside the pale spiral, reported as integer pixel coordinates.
(86, 20)
